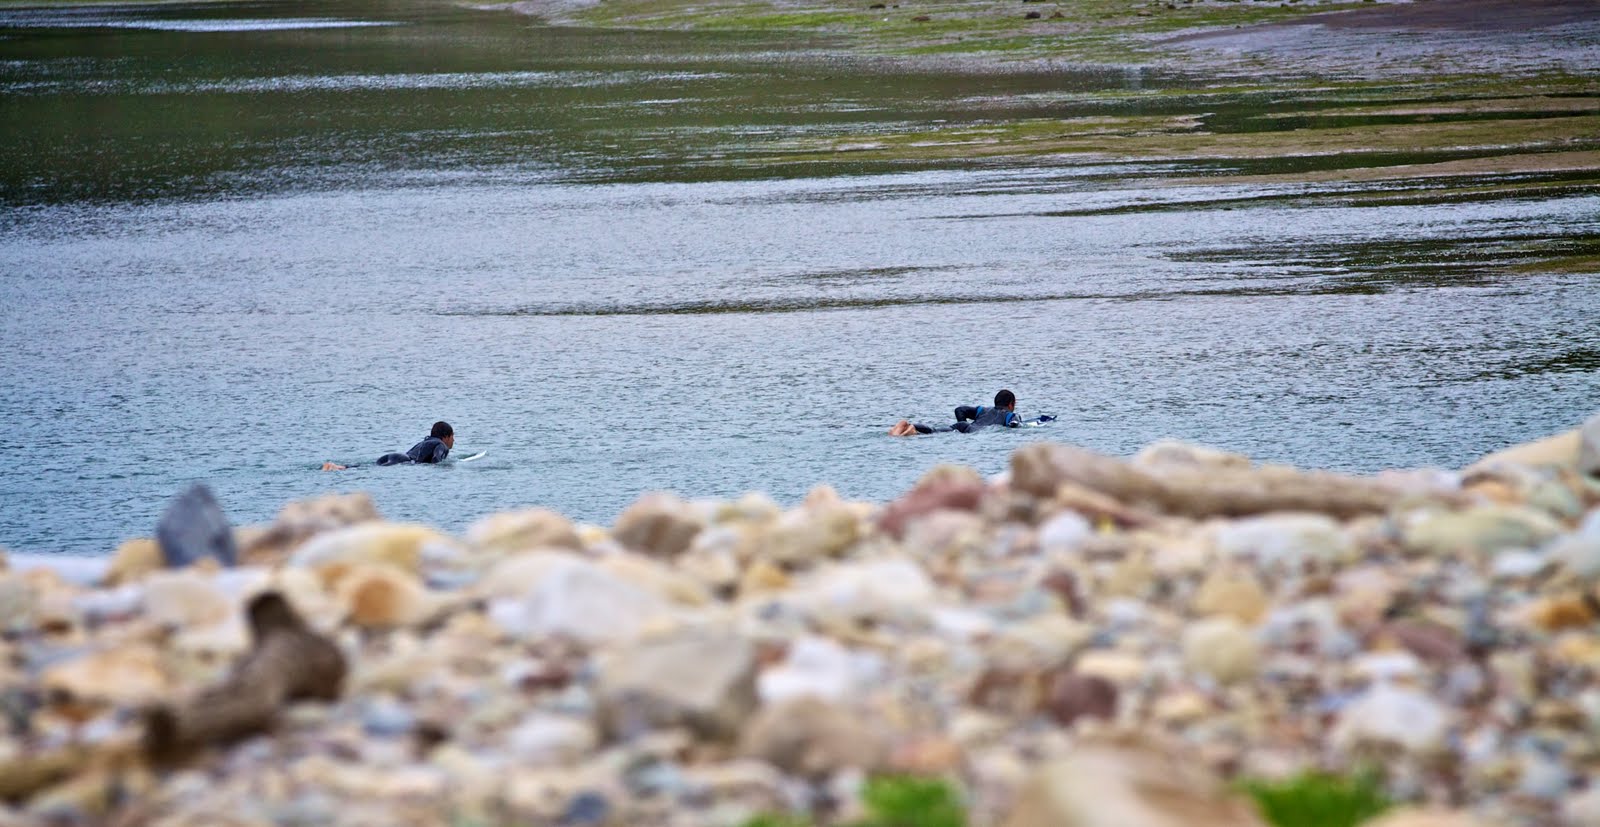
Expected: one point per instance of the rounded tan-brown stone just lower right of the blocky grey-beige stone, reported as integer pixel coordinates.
(814, 738)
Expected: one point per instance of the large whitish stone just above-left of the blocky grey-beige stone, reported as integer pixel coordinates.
(585, 602)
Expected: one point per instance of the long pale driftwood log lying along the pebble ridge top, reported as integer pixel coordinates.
(1222, 492)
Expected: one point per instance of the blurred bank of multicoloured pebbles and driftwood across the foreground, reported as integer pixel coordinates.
(1086, 642)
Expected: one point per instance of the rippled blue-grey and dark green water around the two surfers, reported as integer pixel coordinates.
(236, 242)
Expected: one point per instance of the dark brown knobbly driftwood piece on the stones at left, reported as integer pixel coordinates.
(287, 663)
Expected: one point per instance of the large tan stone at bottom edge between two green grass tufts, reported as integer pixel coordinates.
(1126, 786)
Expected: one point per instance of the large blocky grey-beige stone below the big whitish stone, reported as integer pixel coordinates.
(703, 682)
